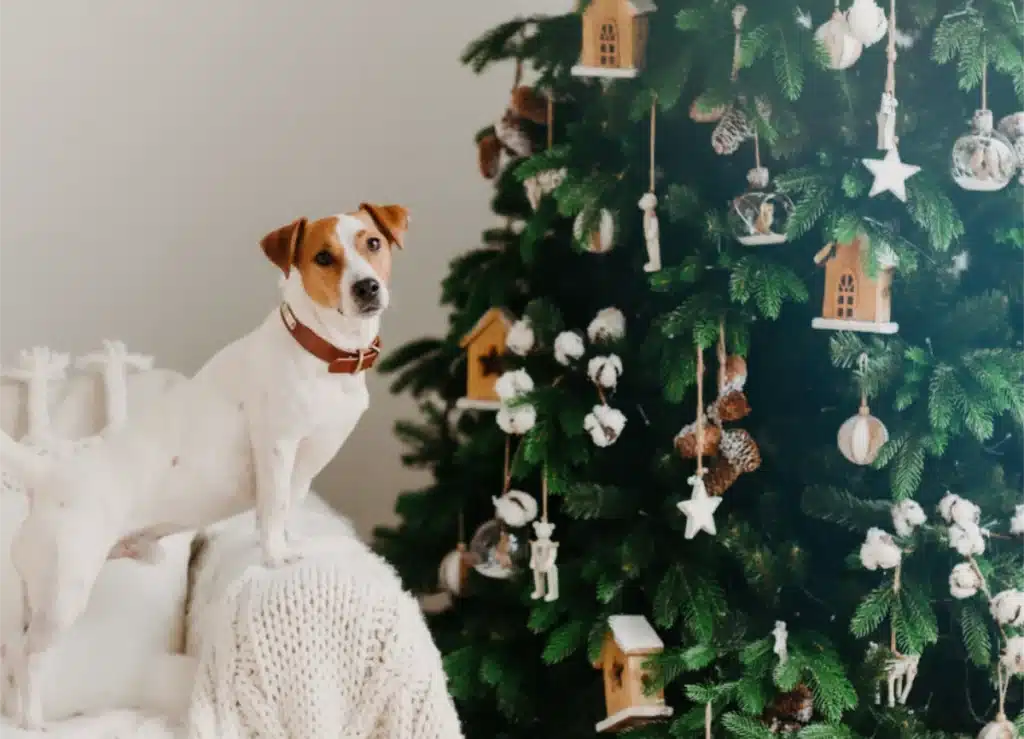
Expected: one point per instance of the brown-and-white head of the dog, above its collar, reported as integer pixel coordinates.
(345, 262)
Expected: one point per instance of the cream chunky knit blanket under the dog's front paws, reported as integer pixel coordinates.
(328, 647)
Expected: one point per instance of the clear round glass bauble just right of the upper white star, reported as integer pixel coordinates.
(984, 160)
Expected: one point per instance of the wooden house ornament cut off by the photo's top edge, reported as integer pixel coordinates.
(615, 35)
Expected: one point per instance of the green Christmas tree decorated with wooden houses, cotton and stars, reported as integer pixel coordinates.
(750, 327)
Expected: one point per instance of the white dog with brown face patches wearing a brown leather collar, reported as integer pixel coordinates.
(251, 429)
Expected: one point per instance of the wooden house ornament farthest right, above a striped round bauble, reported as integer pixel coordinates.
(854, 299)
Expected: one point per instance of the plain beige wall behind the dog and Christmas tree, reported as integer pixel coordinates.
(146, 146)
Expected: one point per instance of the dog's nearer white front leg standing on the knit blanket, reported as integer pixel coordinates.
(275, 462)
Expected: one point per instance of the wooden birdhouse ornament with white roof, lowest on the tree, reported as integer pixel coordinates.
(630, 642)
